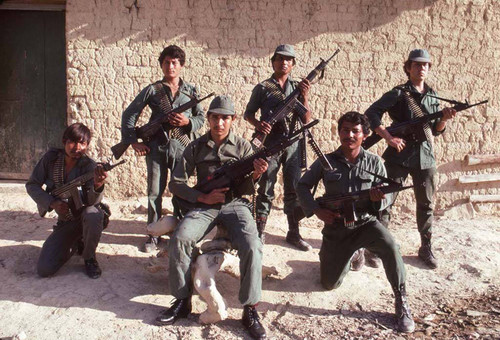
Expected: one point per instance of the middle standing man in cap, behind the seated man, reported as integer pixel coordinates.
(267, 96)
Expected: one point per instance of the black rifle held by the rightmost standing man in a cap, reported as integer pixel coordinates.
(413, 130)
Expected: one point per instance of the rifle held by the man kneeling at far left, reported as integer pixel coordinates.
(69, 191)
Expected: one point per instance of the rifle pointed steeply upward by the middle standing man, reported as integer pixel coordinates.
(290, 103)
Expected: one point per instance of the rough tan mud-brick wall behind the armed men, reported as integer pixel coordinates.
(113, 48)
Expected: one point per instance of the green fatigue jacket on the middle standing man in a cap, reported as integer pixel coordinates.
(262, 99)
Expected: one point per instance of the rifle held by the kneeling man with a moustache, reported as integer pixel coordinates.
(344, 203)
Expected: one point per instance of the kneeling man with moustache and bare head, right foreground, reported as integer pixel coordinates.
(354, 170)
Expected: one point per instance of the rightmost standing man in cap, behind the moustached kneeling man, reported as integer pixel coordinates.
(403, 157)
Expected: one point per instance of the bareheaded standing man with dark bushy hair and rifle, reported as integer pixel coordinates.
(166, 147)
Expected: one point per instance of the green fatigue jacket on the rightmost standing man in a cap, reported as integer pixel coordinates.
(415, 154)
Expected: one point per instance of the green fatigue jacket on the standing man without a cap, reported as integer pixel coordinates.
(149, 97)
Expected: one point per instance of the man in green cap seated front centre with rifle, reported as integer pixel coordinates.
(225, 207)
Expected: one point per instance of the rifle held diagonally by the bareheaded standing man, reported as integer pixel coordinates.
(149, 130)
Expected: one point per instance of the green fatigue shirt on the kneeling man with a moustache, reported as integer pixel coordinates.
(344, 179)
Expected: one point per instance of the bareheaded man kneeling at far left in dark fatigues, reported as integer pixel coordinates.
(56, 168)
